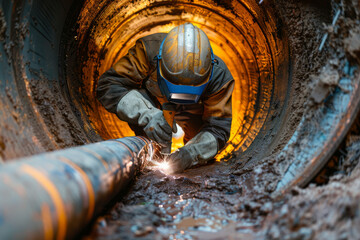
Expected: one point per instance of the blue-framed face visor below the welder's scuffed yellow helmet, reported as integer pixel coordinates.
(181, 94)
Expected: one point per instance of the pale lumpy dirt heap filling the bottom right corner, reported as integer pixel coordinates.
(327, 212)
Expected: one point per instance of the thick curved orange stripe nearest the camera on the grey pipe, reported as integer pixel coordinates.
(43, 180)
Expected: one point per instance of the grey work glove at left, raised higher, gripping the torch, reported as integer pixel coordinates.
(134, 108)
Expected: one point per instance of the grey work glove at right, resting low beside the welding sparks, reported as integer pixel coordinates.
(199, 150)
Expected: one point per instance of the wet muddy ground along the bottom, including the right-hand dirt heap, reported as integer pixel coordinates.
(219, 202)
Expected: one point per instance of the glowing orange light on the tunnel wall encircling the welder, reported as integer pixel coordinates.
(241, 42)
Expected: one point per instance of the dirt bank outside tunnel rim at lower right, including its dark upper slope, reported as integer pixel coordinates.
(328, 211)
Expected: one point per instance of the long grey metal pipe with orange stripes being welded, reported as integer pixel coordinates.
(54, 195)
